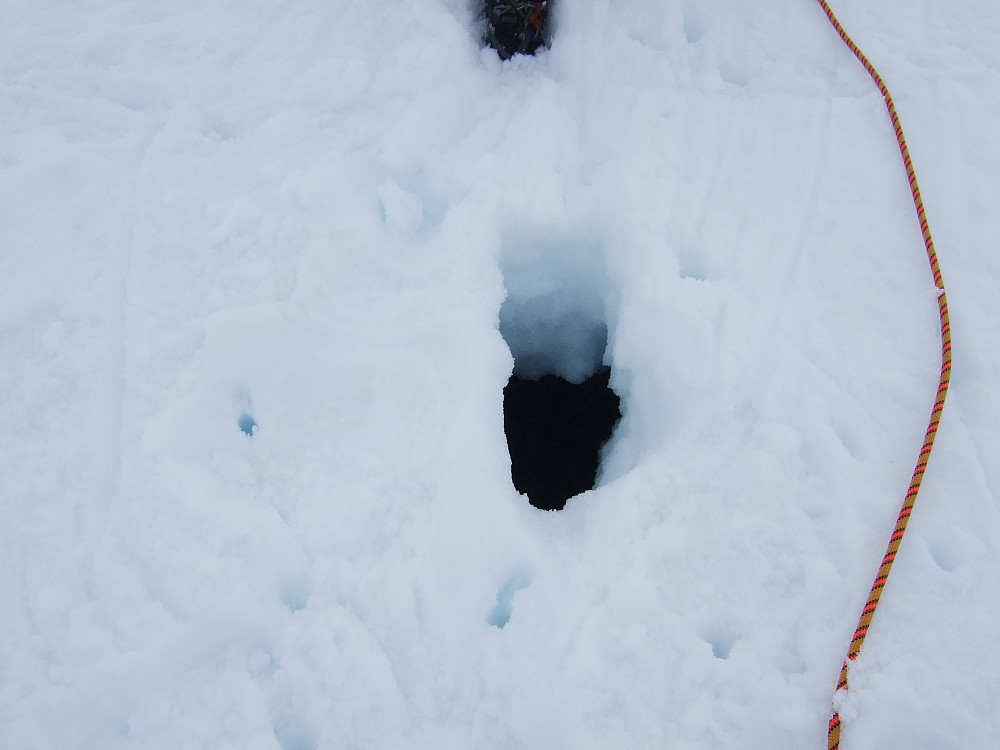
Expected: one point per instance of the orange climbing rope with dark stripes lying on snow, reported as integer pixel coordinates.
(833, 736)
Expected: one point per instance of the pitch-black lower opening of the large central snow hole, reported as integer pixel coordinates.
(555, 430)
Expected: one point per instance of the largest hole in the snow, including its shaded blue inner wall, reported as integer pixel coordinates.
(559, 409)
